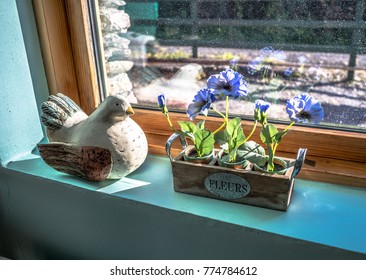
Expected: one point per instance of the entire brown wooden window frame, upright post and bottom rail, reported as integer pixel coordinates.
(333, 156)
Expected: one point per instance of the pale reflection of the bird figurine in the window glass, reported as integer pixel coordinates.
(180, 89)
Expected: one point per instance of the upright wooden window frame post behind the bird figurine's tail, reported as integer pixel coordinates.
(63, 27)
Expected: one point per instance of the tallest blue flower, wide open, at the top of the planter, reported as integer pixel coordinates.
(228, 82)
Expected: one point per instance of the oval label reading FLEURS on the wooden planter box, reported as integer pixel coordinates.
(226, 185)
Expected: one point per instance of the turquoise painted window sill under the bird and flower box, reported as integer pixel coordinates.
(321, 214)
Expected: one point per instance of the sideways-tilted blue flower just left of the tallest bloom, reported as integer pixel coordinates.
(201, 103)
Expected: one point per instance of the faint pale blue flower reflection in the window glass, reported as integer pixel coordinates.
(267, 56)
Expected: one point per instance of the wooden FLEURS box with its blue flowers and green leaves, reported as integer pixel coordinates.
(245, 185)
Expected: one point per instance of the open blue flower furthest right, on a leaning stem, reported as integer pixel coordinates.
(305, 109)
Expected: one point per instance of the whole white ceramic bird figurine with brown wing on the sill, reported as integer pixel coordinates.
(108, 144)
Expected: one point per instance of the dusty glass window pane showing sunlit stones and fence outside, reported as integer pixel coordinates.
(172, 47)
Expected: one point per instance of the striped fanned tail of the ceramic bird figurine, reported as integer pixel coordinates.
(60, 111)
